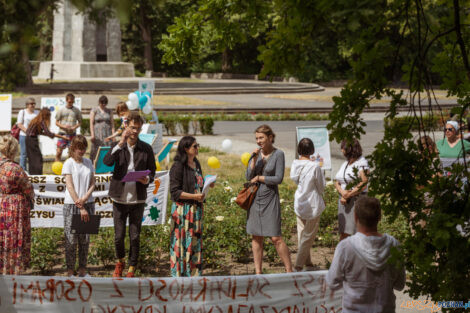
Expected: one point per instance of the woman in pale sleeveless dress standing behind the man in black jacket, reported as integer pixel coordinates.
(101, 126)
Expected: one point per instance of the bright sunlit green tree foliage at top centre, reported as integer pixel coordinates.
(211, 27)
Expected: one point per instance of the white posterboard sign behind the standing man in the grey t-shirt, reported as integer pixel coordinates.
(48, 146)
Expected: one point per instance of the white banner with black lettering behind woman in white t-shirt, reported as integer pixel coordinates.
(49, 200)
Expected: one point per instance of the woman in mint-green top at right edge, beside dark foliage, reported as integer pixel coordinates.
(451, 147)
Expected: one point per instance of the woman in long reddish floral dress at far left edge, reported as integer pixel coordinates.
(16, 197)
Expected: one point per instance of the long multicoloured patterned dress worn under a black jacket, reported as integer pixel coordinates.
(186, 236)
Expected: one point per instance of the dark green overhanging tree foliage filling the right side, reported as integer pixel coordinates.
(429, 45)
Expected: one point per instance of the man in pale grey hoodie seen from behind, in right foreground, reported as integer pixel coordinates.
(360, 264)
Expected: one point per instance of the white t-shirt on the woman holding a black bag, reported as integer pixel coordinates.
(81, 175)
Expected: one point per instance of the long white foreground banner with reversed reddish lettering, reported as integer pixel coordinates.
(304, 292)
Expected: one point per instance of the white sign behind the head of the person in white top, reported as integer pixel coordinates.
(320, 138)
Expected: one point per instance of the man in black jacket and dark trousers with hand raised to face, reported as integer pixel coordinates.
(128, 155)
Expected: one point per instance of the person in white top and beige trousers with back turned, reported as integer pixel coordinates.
(308, 201)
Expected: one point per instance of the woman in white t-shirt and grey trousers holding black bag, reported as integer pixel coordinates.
(80, 183)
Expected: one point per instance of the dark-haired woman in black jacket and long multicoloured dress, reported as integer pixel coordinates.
(186, 182)
